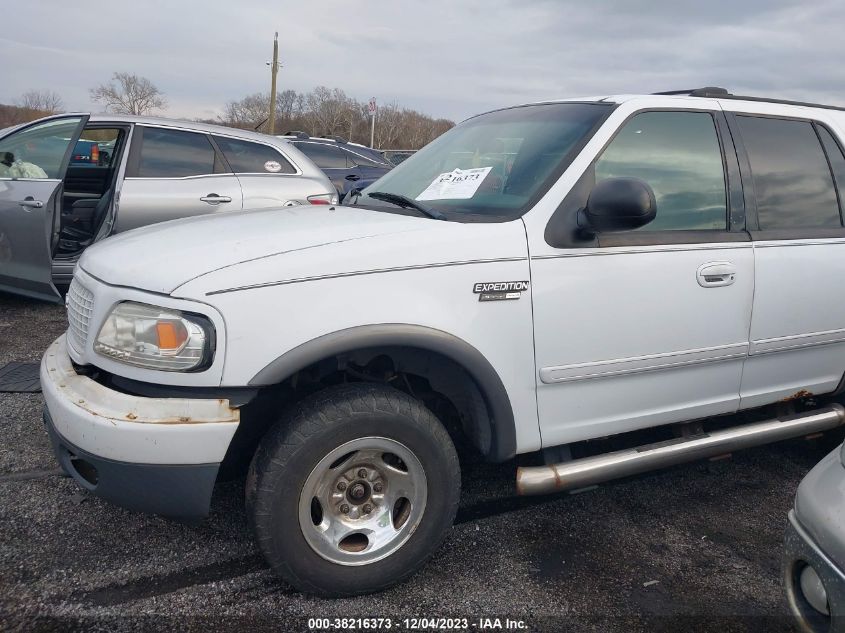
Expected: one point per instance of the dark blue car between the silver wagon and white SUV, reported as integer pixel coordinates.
(348, 165)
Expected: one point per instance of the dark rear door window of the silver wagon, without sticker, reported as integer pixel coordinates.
(175, 154)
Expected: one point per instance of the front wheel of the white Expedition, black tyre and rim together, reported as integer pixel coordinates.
(353, 490)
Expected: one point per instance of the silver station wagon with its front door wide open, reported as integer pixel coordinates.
(124, 172)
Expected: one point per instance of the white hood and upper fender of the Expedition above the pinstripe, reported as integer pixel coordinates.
(242, 249)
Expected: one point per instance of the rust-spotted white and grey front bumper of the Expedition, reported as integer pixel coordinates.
(157, 455)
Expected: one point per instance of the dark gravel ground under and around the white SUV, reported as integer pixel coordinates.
(708, 533)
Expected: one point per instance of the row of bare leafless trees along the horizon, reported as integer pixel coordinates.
(320, 112)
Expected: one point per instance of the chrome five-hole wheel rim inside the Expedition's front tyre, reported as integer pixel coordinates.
(363, 501)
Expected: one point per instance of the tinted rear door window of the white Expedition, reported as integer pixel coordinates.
(792, 181)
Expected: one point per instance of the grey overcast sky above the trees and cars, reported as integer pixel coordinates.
(449, 59)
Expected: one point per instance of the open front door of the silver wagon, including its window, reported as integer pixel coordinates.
(33, 161)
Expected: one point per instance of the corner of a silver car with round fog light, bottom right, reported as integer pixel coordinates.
(814, 560)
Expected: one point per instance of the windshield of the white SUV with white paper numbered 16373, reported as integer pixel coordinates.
(494, 165)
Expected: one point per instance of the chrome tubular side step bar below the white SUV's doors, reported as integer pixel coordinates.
(580, 473)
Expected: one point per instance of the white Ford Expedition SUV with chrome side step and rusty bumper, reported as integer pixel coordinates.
(536, 279)
